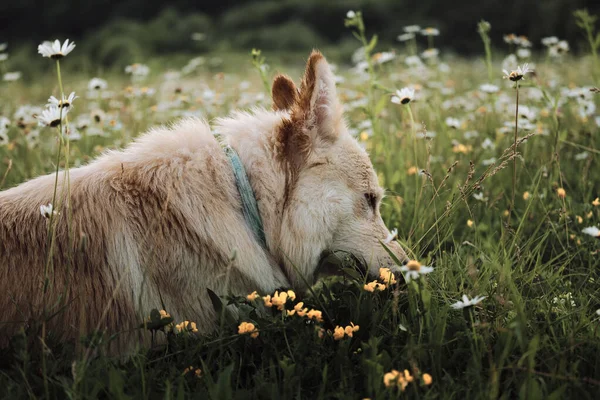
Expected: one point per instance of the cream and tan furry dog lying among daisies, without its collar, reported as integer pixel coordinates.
(161, 220)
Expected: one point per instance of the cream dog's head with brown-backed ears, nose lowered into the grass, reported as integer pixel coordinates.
(332, 194)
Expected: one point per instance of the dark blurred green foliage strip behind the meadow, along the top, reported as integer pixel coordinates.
(116, 33)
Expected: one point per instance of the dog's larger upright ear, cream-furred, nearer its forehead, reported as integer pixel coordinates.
(317, 104)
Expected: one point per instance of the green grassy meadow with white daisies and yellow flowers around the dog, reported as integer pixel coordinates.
(492, 179)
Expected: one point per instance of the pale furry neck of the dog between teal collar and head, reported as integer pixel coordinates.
(252, 135)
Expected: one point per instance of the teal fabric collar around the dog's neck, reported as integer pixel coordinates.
(249, 205)
